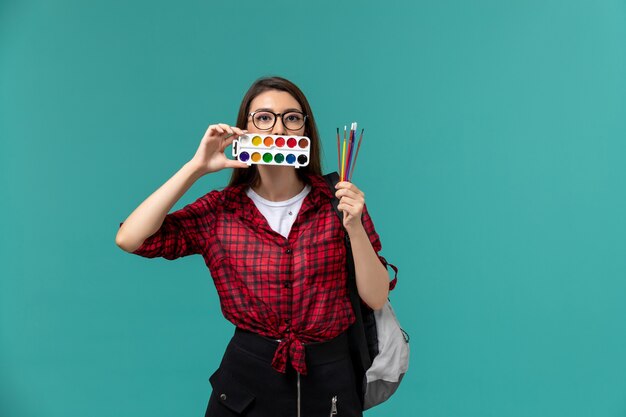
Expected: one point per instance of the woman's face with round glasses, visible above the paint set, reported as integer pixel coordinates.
(279, 102)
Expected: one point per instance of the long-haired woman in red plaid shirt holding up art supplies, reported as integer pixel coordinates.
(275, 249)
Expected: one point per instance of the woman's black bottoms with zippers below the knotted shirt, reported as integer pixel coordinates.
(245, 384)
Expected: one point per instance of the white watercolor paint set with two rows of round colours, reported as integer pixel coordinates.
(254, 148)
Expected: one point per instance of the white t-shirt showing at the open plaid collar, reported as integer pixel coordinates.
(279, 214)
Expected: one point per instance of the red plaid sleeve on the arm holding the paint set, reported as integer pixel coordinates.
(182, 231)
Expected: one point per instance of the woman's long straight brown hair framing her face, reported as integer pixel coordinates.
(251, 175)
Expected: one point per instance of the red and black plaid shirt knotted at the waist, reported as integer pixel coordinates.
(289, 289)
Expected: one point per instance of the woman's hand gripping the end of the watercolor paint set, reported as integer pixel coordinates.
(210, 156)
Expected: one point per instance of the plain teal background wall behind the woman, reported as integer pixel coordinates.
(493, 163)
